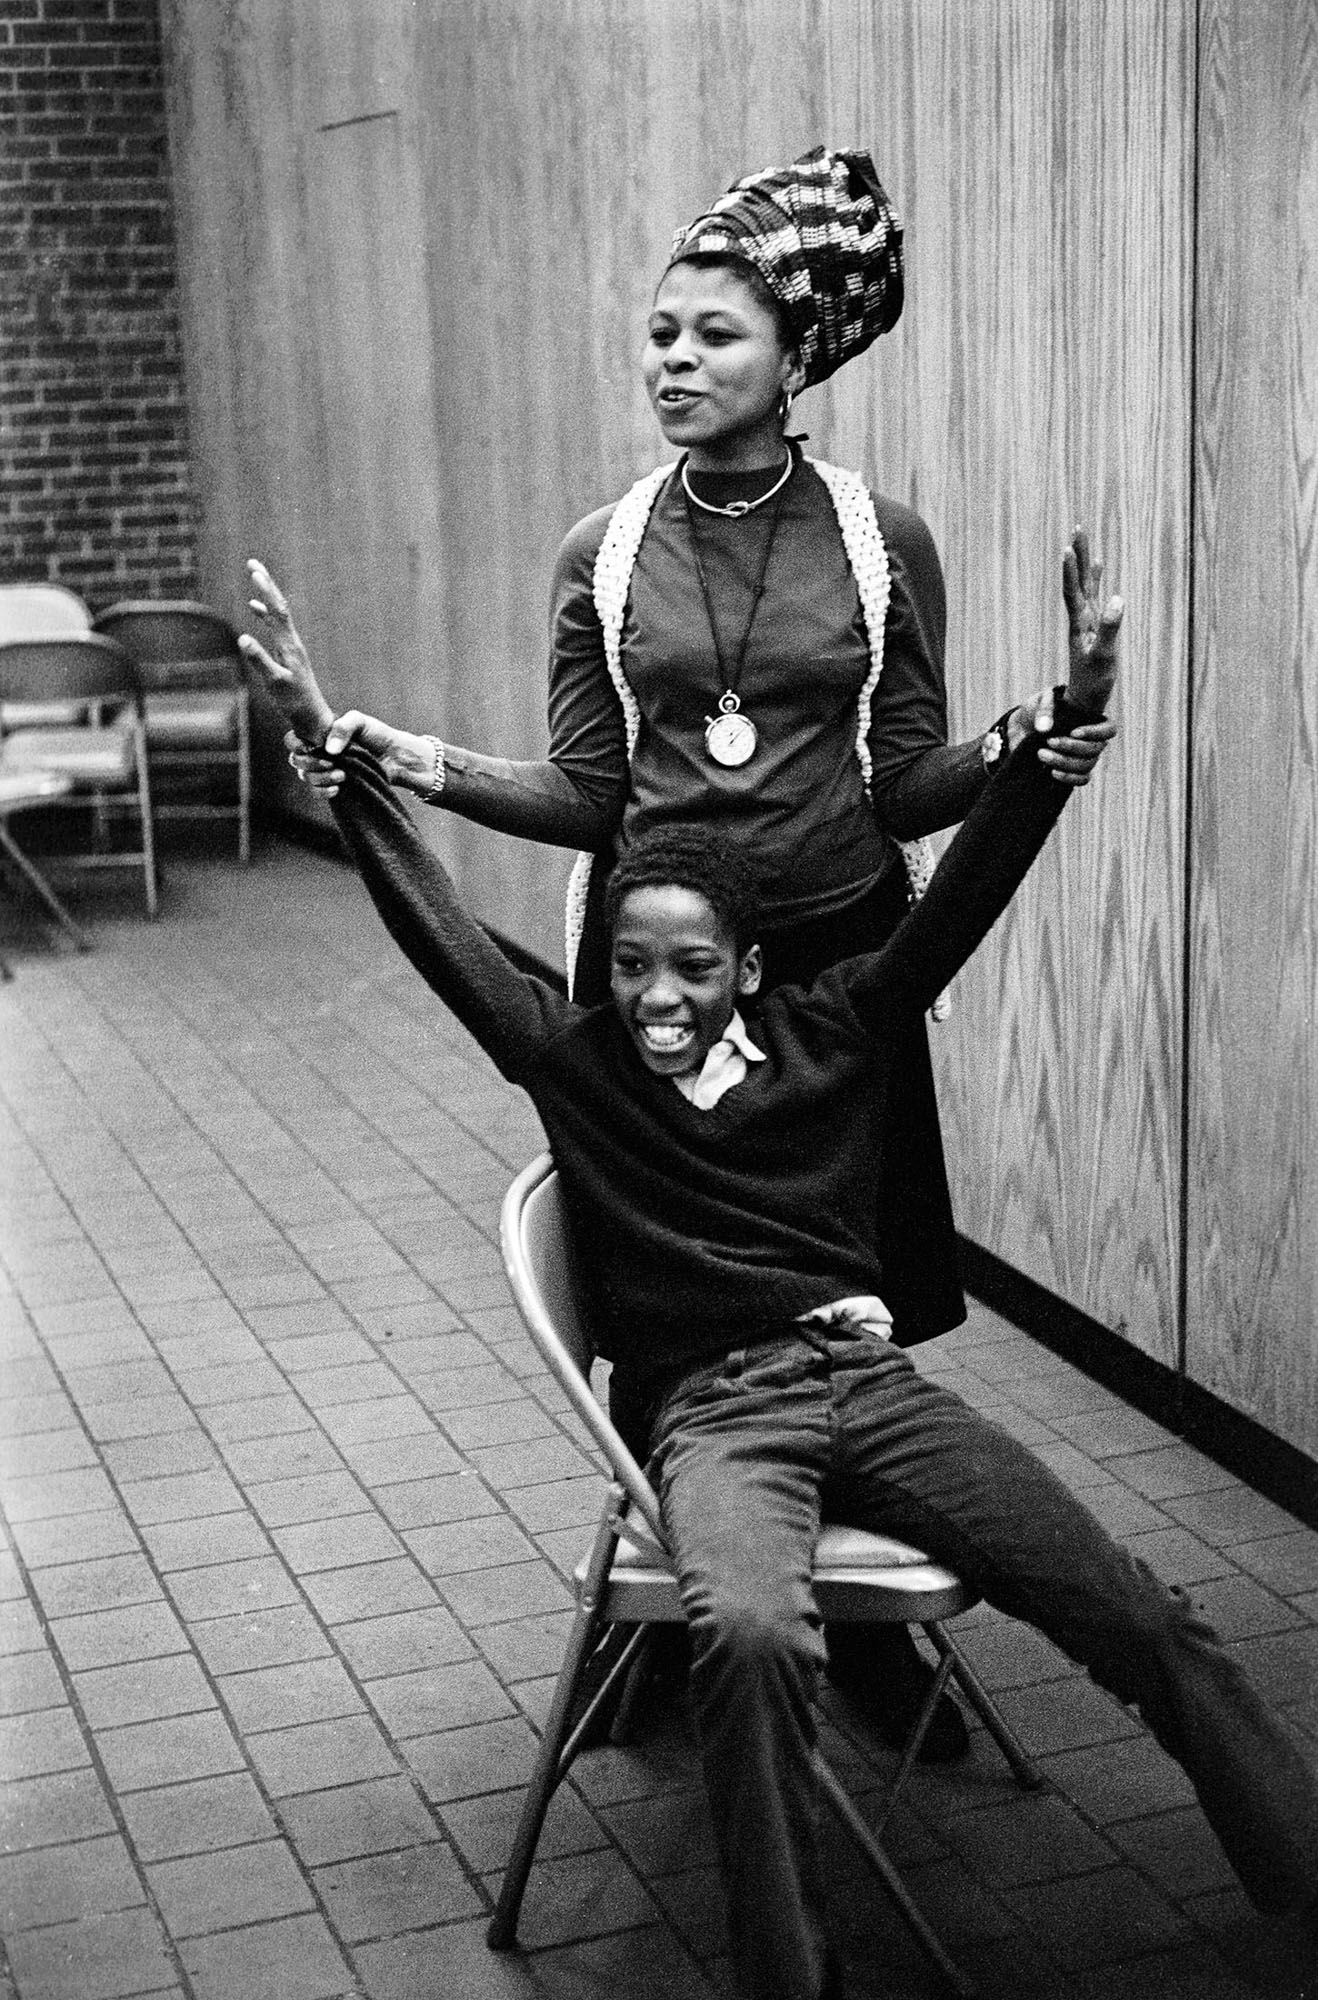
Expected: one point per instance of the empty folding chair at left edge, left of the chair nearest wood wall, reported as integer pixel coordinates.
(103, 757)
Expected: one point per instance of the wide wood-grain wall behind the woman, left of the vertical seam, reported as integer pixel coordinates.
(419, 247)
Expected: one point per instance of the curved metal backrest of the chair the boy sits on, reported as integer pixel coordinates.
(539, 1259)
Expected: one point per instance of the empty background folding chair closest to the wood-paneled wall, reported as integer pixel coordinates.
(197, 705)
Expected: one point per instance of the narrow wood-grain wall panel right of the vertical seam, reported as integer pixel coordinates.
(1253, 1267)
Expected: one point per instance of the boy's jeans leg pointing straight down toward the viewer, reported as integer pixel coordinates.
(739, 1467)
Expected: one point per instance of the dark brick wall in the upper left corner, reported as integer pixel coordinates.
(93, 425)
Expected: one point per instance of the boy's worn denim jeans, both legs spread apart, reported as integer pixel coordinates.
(753, 1451)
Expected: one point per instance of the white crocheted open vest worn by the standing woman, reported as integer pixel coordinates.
(613, 579)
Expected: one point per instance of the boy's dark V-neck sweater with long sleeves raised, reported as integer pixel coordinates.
(703, 1229)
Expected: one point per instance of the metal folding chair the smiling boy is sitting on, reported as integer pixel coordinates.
(627, 1579)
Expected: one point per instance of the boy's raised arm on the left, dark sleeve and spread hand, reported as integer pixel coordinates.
(507, 1011)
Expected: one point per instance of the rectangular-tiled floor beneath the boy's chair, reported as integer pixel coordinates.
(289, 1513)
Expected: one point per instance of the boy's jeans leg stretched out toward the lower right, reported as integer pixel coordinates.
(917, 1461)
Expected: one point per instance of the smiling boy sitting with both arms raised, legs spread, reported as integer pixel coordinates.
(717, 1155)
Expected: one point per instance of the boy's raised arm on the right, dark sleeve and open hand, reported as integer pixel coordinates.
(1009, 825)
